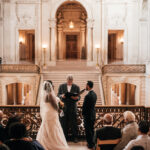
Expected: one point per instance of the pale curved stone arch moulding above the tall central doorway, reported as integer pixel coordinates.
(58, 3)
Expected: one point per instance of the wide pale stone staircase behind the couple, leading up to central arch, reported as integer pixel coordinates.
(80, 72)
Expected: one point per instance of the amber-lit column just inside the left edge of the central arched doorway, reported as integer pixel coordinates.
(60, 50)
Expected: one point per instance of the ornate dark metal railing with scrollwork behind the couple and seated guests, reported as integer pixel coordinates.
(31, 116)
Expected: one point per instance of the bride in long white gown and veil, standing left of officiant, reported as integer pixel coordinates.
(50, 134)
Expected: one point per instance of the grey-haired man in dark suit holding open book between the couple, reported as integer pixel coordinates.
(69, 94)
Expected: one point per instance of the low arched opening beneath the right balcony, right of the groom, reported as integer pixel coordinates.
(123, 94)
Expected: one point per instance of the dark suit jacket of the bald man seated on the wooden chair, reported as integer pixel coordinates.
(108, 133)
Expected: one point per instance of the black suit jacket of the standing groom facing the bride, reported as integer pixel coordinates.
(88, 110)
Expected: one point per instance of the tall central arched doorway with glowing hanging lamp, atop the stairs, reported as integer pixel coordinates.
(71, 31)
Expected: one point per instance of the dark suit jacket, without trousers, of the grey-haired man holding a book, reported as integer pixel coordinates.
(69, 103)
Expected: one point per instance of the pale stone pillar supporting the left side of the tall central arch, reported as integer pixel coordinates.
(53, 34)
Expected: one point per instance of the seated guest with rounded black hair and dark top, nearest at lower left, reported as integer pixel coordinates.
(17, 133)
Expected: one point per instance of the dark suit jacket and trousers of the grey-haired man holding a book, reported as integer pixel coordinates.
(70, 109)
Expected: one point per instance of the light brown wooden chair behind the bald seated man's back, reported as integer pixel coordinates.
(106, 142)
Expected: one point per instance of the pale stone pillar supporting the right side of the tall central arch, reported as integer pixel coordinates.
(89, 40)
